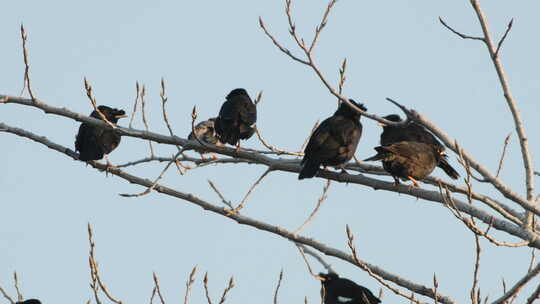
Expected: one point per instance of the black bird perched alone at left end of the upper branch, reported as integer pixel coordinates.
(95, 142)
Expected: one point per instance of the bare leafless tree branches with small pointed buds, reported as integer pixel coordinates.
(481, 213)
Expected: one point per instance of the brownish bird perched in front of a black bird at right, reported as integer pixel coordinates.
(408, 160)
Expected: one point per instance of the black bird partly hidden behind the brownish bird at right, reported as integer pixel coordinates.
(415, 132)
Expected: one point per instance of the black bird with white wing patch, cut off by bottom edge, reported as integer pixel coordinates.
(336, 290)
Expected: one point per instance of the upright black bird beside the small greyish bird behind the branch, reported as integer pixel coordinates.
(236, 118)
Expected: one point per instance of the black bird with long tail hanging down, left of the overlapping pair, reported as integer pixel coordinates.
(334, 141)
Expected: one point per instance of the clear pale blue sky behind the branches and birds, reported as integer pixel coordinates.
(204, 49)
